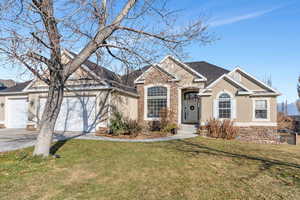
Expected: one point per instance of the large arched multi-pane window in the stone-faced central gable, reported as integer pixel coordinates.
(156, 100)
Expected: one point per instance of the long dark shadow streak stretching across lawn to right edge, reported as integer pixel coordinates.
(196, 149)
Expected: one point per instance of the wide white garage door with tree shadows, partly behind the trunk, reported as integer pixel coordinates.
(76, 114)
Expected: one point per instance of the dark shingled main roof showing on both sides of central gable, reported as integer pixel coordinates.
(210, 71)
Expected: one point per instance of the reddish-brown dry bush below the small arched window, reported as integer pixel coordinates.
(222, 129)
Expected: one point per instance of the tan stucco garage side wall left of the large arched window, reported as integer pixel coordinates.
(125, 104)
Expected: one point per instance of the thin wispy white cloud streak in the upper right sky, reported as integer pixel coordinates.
(239, 18)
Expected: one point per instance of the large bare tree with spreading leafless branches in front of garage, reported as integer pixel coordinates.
(125, 33)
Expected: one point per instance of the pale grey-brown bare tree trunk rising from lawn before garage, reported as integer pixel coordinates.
(49, 117)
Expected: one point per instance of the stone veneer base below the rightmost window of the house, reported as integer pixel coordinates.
(261, 135)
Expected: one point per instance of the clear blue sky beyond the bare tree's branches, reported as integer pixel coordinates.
(261, 37)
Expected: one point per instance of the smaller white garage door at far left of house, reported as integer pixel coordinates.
(17, 110)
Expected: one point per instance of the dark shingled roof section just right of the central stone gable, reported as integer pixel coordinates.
(210, 71)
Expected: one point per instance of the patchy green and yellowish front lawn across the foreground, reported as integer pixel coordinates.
(196, 168)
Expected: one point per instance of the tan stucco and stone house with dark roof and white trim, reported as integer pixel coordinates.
(194, 91)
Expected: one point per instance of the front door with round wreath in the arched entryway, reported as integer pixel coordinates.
(190, 108)
